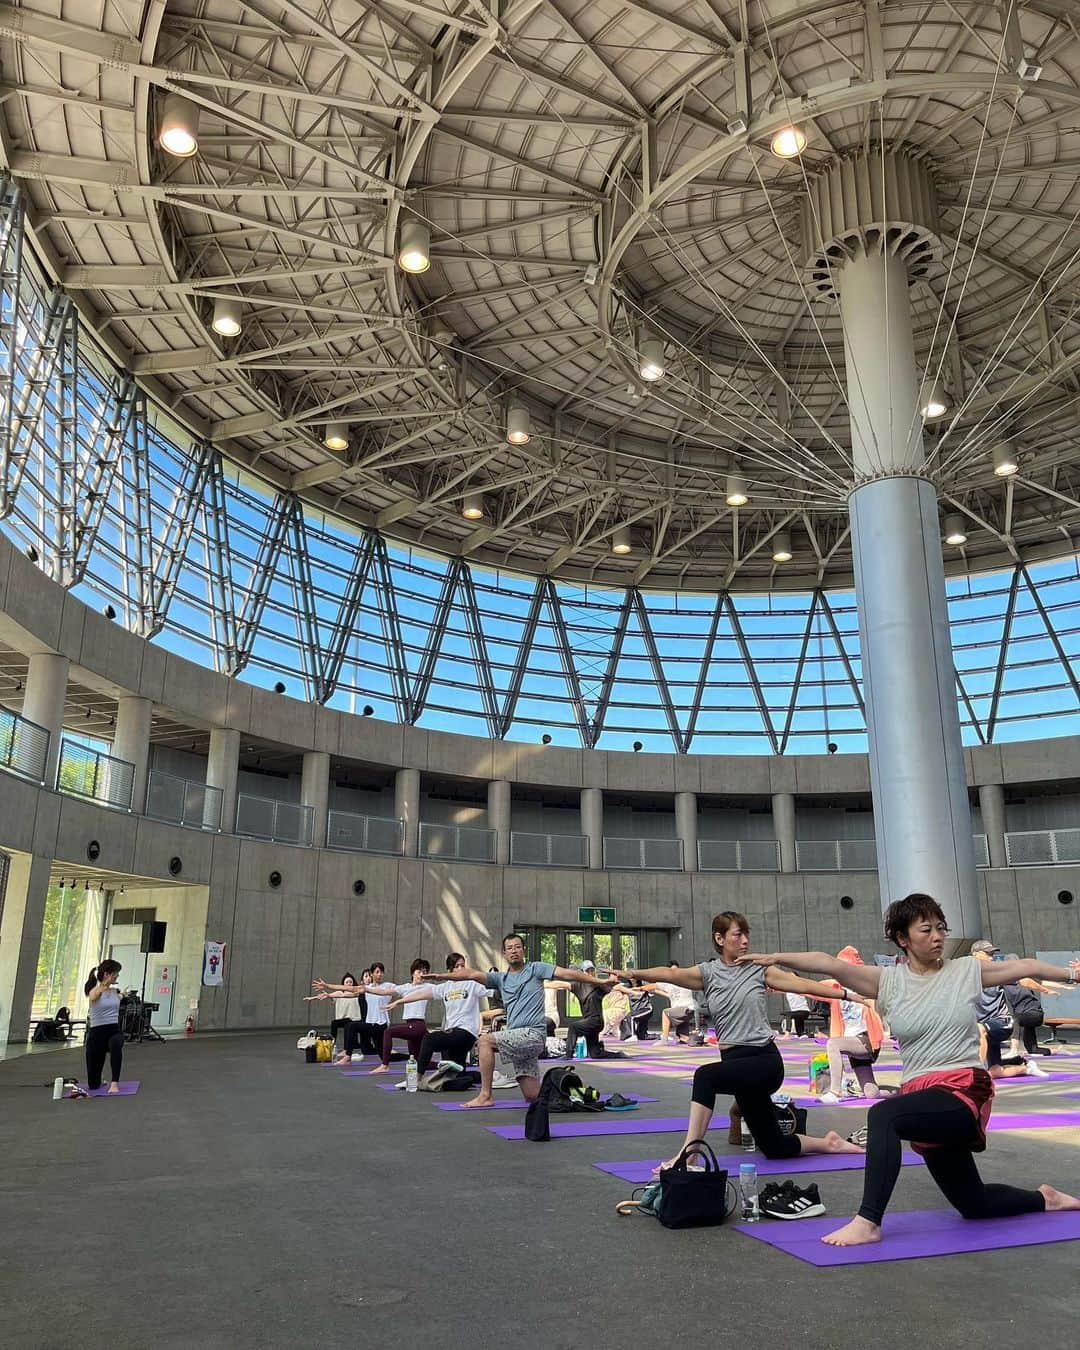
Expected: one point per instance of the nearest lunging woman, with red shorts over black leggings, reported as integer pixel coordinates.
(946, 1094)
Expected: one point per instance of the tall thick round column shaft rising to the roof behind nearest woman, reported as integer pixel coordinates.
(921, 815)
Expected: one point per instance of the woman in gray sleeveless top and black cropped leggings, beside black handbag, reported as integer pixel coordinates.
(751, 1069)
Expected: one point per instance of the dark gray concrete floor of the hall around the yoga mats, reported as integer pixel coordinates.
(245, 1199)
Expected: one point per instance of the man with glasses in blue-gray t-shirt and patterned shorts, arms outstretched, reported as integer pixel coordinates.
(522, 988)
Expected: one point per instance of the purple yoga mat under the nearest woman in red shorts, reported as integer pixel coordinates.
(921, 1233)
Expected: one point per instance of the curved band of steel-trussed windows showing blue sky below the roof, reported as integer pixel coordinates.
(190, 551)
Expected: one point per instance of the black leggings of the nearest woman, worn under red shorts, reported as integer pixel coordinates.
(935, 1116)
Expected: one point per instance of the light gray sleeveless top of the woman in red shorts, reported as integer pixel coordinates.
(934, 1017)
